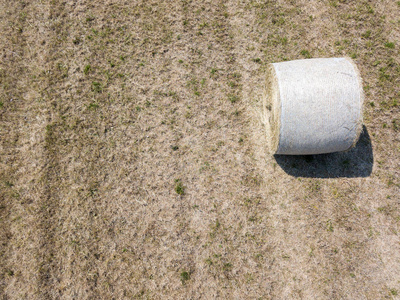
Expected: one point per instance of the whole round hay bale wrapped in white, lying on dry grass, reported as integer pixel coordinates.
(313, 105)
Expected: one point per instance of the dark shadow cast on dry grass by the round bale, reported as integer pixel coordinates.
(356, 162)
